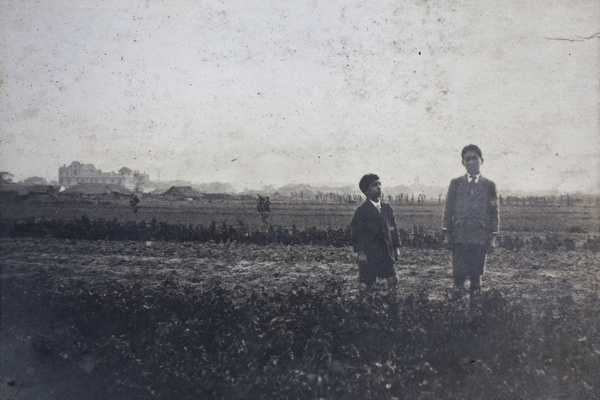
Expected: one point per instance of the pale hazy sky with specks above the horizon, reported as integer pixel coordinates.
(282, 91)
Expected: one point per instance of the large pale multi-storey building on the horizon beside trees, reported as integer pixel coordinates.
(77, 173)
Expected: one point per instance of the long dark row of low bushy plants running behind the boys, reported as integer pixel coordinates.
(101, 229)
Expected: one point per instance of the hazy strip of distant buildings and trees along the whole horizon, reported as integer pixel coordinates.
(79, 181)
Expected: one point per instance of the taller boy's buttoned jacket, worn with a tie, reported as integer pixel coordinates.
(471, 217)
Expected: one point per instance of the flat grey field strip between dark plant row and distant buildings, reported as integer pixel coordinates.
(581, 219)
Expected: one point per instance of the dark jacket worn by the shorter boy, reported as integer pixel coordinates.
(375, 232)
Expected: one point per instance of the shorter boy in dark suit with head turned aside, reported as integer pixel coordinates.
(375, 236)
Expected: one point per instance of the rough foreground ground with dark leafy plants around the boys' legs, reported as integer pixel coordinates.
(172, 320)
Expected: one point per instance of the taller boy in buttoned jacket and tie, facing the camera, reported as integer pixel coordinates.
(470, 222)
